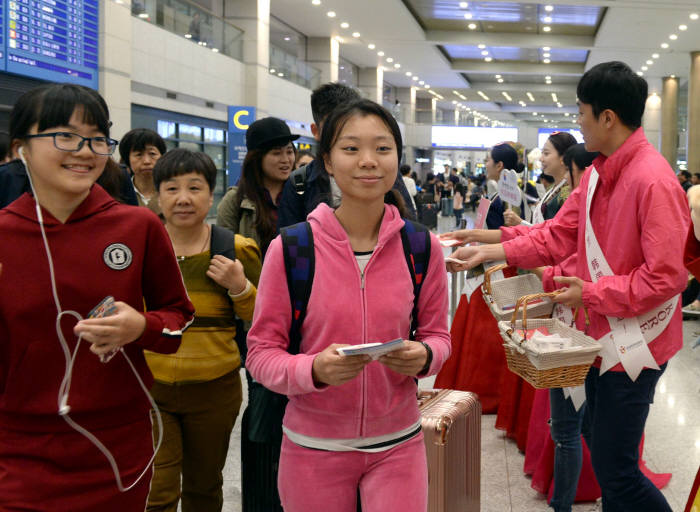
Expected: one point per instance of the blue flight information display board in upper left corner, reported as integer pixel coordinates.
(54, 40)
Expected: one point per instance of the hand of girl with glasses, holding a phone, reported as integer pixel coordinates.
(110, 333)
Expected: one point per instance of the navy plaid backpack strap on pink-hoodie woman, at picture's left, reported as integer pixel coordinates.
(299, 264)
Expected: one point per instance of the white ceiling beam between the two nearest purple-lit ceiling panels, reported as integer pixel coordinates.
(466, 38)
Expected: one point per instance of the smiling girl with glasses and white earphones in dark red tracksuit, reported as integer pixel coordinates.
(75, 422)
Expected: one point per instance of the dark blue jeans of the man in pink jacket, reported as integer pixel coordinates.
(616, 412)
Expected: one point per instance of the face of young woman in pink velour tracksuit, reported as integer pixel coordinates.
(364, 159)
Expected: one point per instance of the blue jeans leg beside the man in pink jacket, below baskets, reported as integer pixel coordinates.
(566, 434)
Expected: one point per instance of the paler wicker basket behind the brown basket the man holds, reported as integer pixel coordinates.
(505, 292)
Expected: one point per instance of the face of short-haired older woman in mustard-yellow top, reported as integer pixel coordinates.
(185, 200)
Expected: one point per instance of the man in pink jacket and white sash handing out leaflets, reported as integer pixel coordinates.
(627, 223)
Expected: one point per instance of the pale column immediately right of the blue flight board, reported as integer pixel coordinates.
(115, 64)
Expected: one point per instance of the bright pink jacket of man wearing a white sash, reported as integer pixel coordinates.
(640, 217)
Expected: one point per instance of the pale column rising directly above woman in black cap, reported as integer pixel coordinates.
(253, 16)
